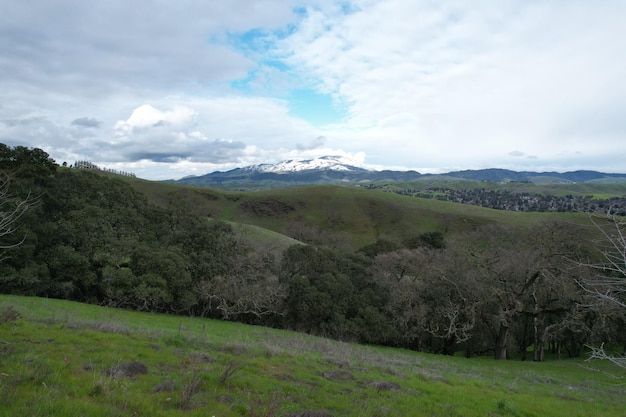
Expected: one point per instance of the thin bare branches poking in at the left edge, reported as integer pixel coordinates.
(12, 209)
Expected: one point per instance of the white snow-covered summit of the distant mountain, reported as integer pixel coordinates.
(332, 163)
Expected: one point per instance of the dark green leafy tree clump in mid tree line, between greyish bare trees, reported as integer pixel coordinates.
(332, 295)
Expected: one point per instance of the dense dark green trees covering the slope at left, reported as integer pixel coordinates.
(94, 238)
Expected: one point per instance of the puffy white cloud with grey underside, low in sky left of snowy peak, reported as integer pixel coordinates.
(204, 131)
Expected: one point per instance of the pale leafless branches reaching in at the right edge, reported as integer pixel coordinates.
(606, 283)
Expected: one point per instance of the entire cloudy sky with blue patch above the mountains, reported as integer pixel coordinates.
(187, 87)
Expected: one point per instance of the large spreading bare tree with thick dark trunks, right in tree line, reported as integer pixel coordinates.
(524, 281)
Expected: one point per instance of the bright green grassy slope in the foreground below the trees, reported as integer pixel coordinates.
(61, 358)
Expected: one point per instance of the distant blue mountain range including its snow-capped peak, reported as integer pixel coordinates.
(341, 170)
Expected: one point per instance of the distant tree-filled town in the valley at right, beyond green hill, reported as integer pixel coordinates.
(523, 201)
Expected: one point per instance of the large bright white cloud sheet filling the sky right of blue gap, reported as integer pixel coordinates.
(473, 77)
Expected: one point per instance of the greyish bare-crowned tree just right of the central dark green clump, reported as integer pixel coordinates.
(431, 304)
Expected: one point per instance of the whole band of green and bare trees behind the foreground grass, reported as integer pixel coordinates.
(503, 289)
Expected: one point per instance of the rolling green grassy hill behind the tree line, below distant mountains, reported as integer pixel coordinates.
(352, 216)
